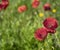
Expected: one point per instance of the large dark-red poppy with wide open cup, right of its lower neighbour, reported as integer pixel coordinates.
(50, 23)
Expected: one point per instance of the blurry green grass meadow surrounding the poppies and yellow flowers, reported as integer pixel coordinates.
(17, 29)
